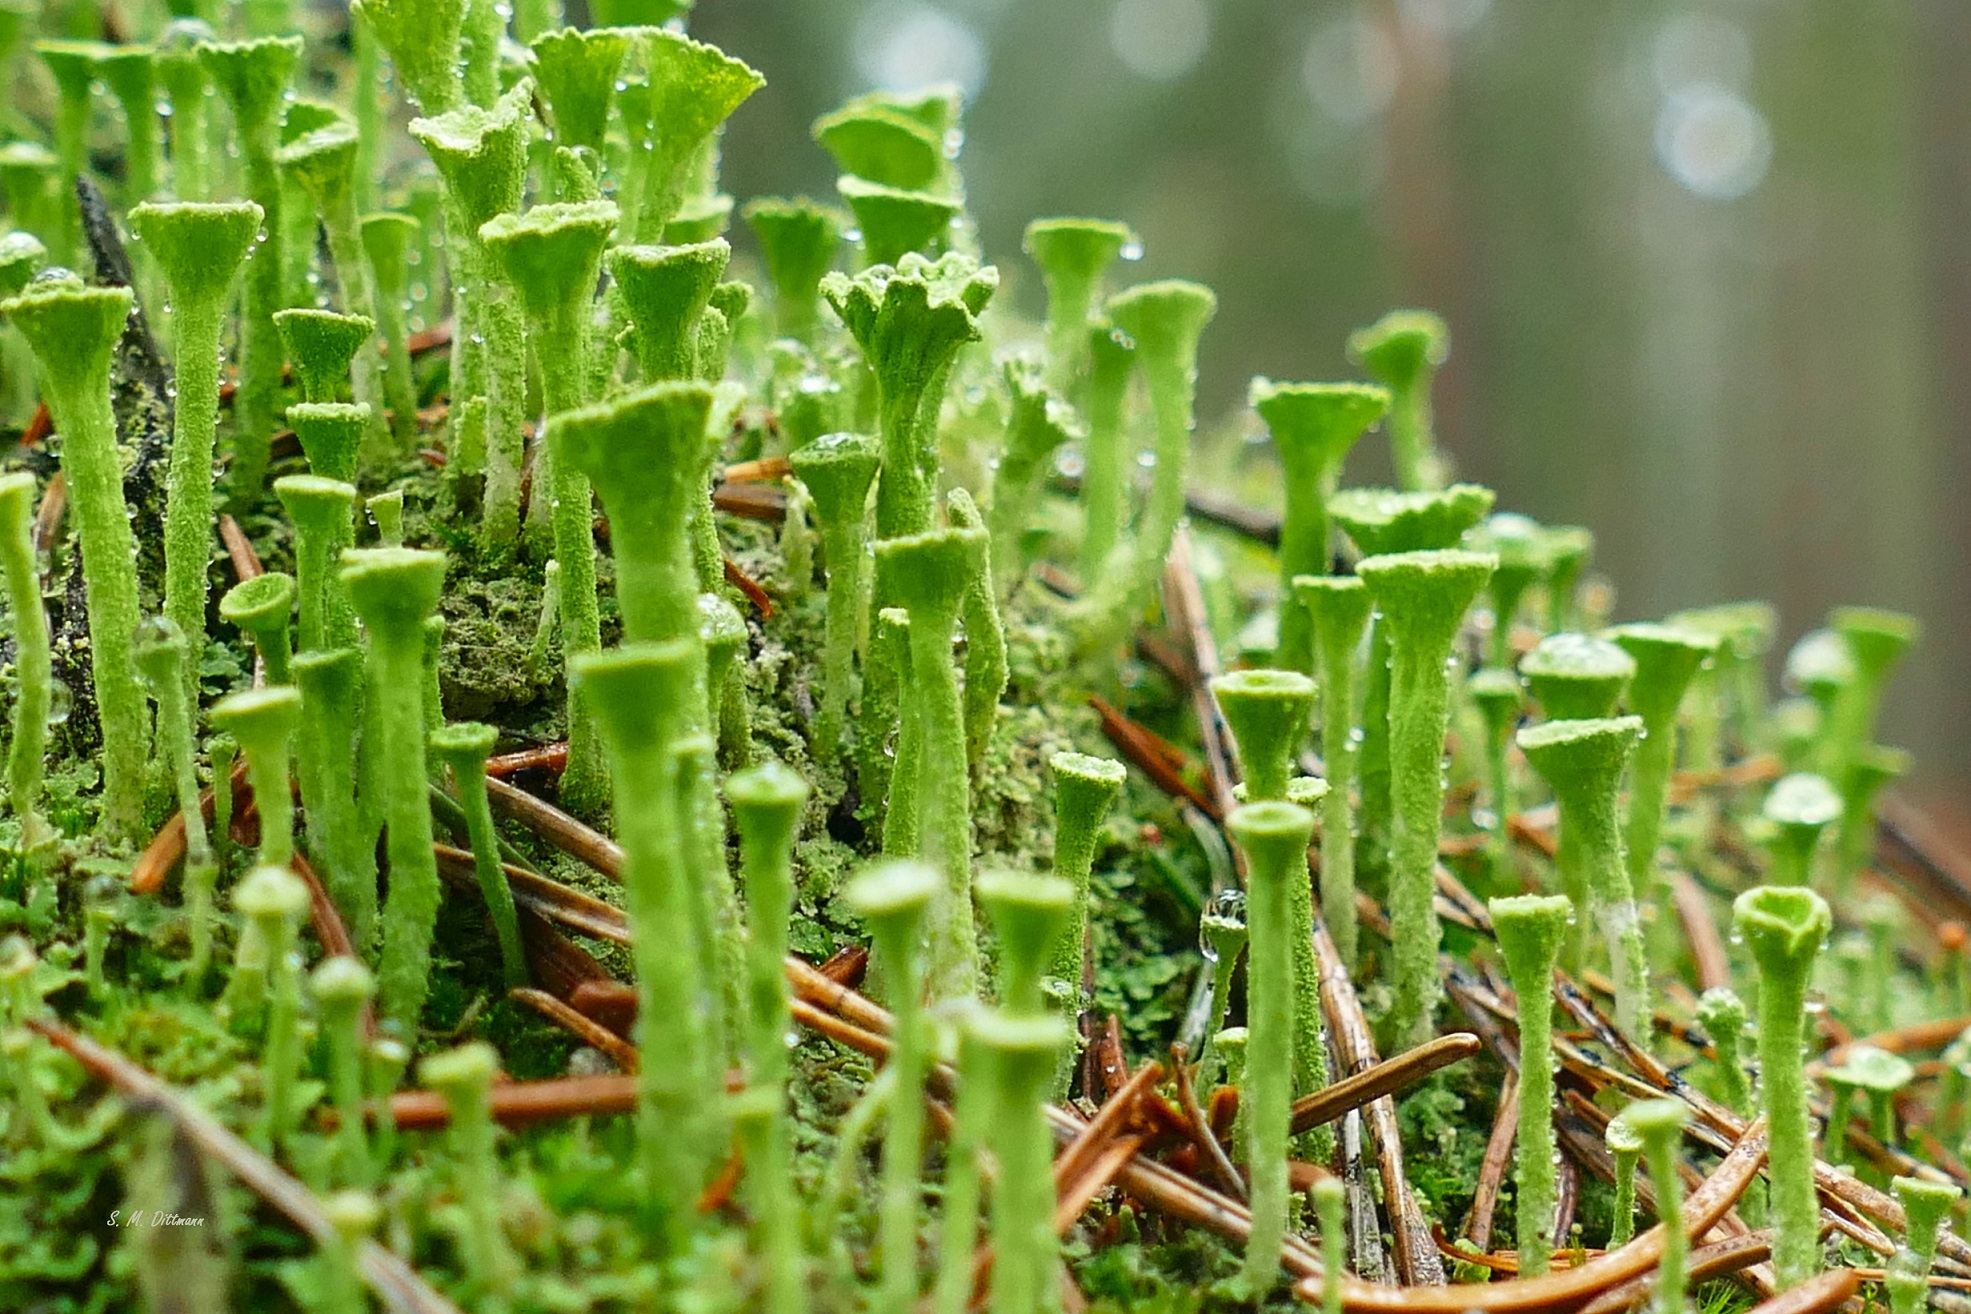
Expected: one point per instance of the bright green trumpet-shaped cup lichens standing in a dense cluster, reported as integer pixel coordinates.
(557, 192)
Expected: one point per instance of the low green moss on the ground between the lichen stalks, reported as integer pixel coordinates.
(571, 1209)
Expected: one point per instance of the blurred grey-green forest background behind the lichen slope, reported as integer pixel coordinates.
(1708, 265)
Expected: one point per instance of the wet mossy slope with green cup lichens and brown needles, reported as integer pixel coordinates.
(813, 572)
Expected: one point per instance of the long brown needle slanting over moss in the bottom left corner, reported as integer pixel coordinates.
(387, 1276)
